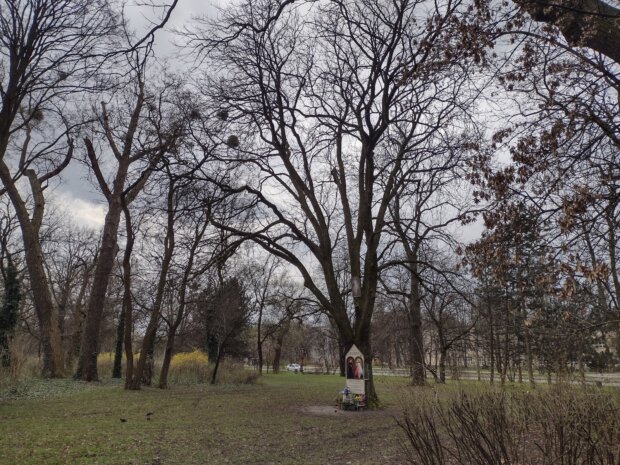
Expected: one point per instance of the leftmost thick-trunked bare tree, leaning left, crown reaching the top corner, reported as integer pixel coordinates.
(49, 54)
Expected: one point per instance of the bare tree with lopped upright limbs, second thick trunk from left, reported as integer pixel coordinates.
(139, 131)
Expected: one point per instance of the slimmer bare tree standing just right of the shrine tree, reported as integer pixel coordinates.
(422, 214)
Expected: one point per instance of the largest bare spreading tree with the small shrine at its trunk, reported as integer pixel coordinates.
(328, 108)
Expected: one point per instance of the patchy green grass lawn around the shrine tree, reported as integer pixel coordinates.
(274, 422)
